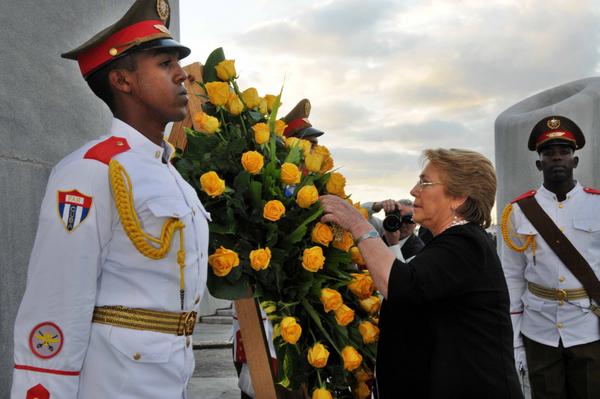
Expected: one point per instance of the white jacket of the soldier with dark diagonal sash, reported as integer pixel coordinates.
(543, 320)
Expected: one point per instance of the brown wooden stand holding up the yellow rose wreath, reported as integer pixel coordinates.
(248, 309)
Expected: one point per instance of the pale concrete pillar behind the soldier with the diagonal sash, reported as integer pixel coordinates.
(515, 164)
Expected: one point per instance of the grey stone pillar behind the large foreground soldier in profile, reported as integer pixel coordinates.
(46, 111)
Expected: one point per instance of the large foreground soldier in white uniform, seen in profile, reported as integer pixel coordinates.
(119, 261)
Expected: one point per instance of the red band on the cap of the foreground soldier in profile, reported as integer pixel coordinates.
(117, 43)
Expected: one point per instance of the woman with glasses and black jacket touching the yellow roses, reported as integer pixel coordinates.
(445, 322)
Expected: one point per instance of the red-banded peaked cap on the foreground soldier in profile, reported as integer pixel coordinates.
(145, 26)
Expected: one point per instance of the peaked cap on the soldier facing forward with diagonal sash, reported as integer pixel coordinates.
(556, 130)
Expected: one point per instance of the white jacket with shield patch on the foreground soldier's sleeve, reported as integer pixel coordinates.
(83, 258)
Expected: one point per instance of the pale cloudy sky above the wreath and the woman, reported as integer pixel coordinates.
(388, 79)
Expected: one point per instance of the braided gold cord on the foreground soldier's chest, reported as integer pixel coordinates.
(122, 191)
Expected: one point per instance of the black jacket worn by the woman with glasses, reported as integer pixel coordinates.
(445, 326)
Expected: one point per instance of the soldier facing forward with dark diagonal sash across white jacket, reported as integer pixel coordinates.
(556, 330)
